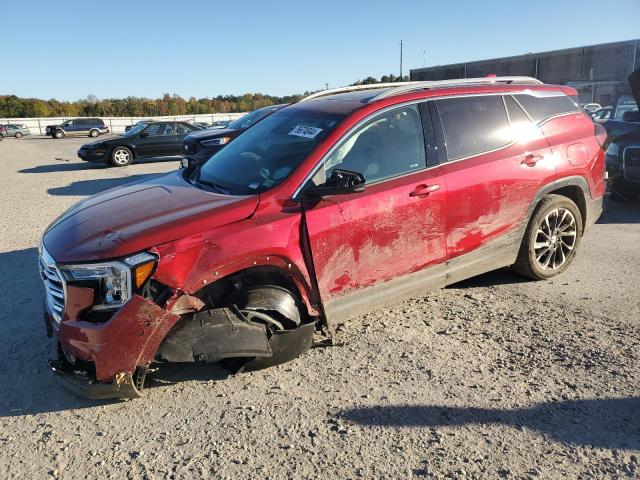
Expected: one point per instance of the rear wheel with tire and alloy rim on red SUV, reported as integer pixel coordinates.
(551, 239)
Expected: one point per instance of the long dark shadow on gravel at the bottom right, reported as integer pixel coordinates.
(612, 423)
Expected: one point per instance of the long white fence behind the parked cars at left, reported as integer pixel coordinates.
(116, 124)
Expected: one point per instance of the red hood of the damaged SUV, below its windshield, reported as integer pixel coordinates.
(140, 215)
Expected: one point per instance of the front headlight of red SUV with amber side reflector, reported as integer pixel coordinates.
(113, 282)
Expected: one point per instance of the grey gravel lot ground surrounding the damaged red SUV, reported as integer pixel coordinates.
(497, 377)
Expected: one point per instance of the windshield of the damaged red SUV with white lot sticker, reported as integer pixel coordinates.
(266, 154)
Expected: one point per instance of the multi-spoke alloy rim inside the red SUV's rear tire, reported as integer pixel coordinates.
(555, 239)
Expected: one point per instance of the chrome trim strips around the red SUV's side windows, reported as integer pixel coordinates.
(315, 169)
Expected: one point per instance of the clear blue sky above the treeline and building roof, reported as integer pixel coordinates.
(70, 49)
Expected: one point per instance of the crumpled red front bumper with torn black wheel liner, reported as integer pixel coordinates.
(109, 360)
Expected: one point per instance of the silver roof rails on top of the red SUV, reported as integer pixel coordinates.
(396, 88)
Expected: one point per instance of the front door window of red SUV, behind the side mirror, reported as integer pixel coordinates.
(386, 146)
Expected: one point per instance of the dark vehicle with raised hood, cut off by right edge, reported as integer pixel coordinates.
(623, 153)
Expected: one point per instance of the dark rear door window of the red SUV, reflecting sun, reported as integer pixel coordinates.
(473, 125)
